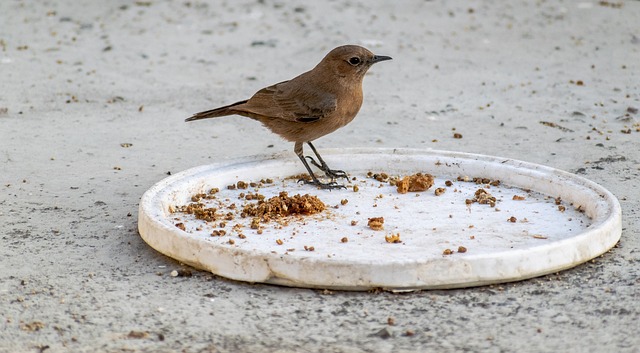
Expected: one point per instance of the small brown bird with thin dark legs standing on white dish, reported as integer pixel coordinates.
(311, 105)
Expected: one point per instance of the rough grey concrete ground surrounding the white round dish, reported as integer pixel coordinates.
(80, 78)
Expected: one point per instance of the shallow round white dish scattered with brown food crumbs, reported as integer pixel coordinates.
(532, 221)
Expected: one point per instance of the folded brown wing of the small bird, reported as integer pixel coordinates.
(291, 102)
